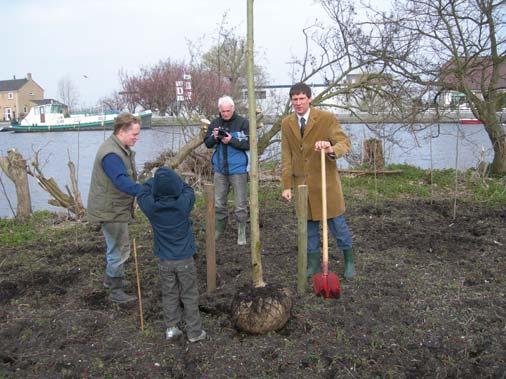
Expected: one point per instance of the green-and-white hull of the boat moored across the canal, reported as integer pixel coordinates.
(83, 126)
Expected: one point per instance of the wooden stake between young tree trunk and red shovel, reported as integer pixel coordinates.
(302, 238)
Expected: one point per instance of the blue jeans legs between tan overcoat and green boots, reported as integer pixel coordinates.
(337, 227)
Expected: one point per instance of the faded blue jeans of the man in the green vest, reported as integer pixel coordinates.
(118, 247)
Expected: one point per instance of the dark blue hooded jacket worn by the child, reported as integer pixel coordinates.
(167, 201)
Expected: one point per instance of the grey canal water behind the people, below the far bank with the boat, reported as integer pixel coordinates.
(469, 143)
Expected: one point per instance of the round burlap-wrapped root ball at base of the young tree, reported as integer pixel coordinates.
(261, 310)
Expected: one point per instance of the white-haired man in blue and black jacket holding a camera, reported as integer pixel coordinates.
(229, 135)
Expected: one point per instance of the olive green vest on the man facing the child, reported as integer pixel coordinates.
(105, 202)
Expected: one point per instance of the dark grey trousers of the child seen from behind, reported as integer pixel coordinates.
(179, 286)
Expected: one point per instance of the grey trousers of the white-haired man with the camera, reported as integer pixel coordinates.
(239, 183)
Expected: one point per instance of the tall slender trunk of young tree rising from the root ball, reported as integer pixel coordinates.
(256, 260)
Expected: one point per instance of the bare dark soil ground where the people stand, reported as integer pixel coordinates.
(429, 301)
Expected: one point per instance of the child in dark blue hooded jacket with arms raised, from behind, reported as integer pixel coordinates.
(167, 201)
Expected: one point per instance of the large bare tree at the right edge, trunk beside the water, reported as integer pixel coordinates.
(450, 45)
